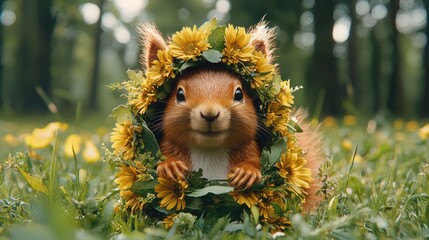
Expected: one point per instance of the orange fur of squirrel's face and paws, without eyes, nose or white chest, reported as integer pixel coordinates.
(211, 92)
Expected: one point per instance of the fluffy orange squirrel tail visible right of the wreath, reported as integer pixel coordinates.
(310, 140)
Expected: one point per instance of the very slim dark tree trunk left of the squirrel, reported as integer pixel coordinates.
(93, 90)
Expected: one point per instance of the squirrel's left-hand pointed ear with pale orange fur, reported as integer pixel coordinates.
(151, 41)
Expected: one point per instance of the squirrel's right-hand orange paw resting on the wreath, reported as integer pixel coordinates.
(246, 177)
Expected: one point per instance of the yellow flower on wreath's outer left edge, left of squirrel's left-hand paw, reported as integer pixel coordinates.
(128, 175)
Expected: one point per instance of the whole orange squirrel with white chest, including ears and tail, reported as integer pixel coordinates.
(210, 121)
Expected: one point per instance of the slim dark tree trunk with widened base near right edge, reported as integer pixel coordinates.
(396, 98)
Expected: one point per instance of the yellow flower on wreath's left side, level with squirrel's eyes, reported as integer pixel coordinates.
(145, 96)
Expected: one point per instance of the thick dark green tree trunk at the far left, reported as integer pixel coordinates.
(33, 56)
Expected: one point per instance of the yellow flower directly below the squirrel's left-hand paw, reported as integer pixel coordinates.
(172, 193)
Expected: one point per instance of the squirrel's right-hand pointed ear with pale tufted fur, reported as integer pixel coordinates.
(263, 39)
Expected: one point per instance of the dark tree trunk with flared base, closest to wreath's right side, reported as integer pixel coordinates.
(322, 76)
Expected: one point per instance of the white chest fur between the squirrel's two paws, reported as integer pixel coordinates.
(214, 163)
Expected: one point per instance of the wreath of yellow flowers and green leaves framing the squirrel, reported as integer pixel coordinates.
(285, 177)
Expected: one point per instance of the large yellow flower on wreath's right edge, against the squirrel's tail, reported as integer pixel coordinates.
(292, 166)
